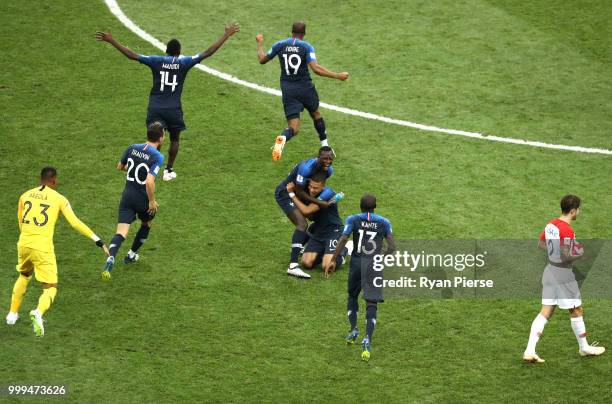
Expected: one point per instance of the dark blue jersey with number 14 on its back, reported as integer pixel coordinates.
(169, 73)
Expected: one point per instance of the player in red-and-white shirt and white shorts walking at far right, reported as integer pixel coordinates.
(559, 286)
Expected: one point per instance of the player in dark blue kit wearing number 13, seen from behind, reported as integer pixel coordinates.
(369, 229)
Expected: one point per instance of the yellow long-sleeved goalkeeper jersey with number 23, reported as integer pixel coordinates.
(38, 211)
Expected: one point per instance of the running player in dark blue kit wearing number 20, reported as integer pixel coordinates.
(142, 163)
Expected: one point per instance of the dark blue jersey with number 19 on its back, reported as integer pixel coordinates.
(294, 56)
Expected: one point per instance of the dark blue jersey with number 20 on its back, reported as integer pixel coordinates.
(139, 161)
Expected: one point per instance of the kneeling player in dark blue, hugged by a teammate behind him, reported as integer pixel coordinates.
(327, 223)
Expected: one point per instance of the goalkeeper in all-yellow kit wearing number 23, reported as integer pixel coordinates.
(38, 211)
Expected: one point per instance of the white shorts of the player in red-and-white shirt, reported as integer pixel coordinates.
(559, 288)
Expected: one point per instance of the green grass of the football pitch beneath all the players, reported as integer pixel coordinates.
(208, 314)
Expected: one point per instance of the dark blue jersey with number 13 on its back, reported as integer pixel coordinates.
(368, 230)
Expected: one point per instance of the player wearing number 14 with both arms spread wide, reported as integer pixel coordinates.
(169, 73)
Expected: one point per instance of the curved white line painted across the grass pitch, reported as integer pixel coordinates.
(116, 10)
